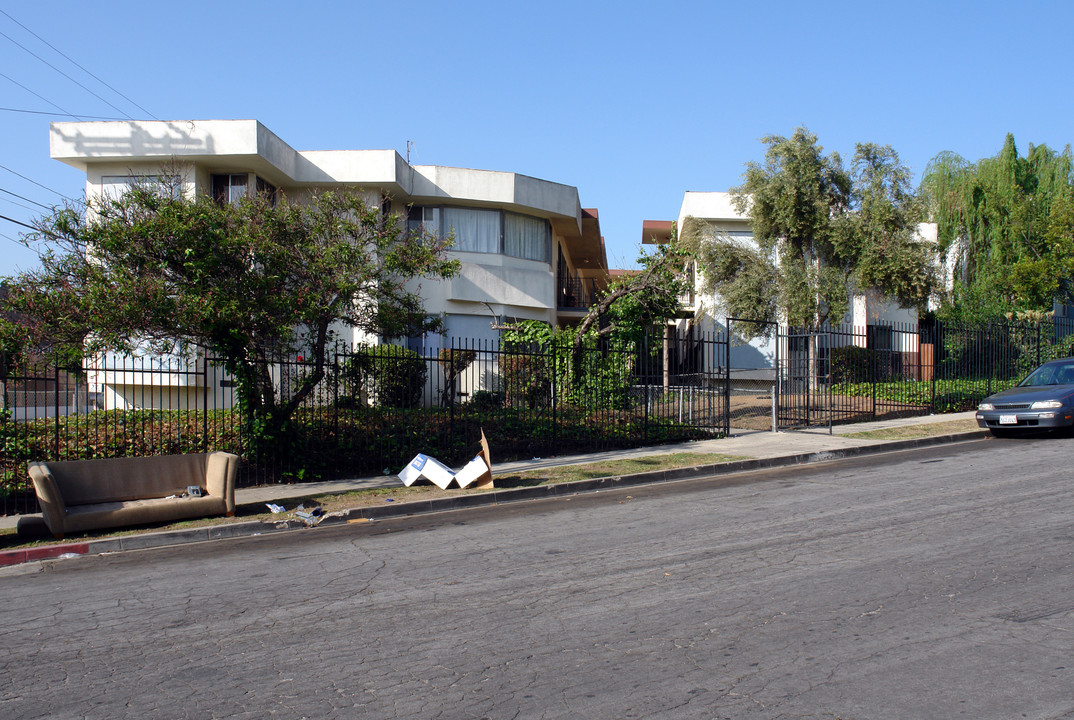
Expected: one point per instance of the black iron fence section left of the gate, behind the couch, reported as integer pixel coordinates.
(375, 409)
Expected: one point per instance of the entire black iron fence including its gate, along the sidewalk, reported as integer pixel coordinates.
(378, 407)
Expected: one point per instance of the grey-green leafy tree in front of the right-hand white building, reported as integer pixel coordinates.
(820, 233)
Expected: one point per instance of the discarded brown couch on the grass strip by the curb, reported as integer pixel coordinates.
(88, 495)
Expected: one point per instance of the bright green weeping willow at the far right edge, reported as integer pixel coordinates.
(1007, 228)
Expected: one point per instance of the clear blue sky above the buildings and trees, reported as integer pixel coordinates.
(633, 104)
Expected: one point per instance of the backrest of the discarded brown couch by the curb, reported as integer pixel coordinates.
(118, 480)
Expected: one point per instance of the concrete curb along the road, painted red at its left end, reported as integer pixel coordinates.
(146, 541)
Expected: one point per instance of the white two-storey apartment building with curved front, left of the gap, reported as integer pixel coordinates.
(528, 248)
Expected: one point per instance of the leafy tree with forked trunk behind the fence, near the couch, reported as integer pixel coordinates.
(250, 282)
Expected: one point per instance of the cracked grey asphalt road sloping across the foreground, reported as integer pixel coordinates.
(931, 584)
